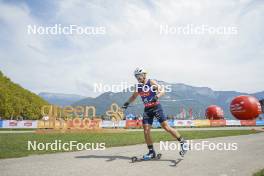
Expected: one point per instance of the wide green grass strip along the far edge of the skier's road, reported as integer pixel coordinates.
(13, 145)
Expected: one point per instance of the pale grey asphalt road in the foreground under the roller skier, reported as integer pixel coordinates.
(248, 158)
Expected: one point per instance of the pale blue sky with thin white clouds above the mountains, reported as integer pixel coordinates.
(132, 38)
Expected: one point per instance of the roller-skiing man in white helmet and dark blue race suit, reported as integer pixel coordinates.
(150, 92)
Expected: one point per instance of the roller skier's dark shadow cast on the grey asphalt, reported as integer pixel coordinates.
(115, 157)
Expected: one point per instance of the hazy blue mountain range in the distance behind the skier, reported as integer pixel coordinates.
(181, 98)
